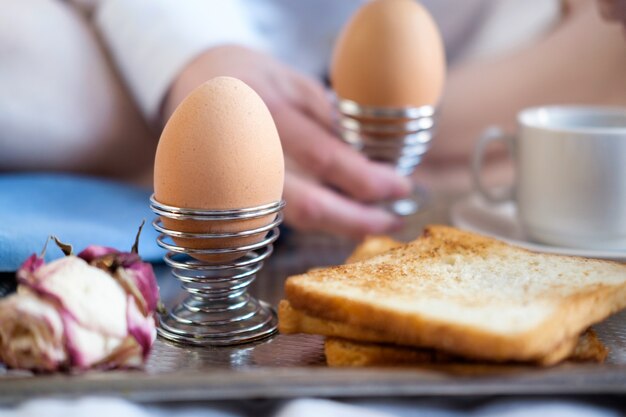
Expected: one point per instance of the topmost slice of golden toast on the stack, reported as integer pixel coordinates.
(466, 294)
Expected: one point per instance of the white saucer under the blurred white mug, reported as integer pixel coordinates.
(500, 221)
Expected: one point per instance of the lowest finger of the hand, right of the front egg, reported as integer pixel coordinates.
(313, 207)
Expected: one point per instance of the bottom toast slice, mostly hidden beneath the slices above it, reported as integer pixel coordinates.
(343, 352)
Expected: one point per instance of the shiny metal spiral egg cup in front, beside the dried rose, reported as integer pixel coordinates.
(217, 310)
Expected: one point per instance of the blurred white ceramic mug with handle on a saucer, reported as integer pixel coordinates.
(570, 175)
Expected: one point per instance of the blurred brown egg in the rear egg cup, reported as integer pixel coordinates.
(389, 54)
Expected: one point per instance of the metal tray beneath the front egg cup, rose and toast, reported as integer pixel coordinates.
(293, 365)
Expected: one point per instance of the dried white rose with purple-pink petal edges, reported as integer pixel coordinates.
(96, 309)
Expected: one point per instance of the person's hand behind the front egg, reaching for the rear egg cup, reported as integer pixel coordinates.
(327, 183)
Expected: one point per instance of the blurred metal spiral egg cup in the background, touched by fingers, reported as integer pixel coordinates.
(396, 136)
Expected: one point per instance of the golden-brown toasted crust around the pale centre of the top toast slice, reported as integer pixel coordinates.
(317, 295)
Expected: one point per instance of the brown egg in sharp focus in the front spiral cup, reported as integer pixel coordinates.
(220, 150)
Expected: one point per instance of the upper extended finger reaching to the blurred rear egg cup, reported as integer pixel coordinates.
(334, 162)
